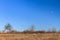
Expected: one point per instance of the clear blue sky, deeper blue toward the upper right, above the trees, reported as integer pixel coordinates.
(21, 14)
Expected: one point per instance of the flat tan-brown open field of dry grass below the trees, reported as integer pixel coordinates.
(22, 36)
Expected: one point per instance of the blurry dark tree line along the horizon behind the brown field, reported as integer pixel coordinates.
(8, 29)
